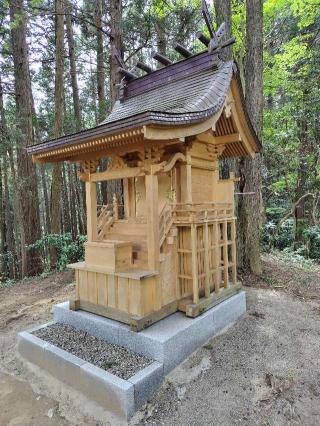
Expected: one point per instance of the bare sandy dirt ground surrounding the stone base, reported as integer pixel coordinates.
(263, 370)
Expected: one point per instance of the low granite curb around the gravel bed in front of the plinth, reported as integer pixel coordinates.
(120, 397)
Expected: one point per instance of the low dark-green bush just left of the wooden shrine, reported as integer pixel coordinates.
(68, 250)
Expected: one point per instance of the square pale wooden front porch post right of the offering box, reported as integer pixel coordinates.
(152, 196)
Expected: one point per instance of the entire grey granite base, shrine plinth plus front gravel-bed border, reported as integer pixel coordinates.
(168, 343)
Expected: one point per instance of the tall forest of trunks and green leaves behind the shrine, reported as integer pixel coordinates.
(58, 75)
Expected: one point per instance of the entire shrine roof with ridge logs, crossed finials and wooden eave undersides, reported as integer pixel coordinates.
(176, 101)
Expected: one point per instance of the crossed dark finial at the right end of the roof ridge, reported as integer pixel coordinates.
(214, 43)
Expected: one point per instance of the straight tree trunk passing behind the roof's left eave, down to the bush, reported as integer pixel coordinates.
(58, 123)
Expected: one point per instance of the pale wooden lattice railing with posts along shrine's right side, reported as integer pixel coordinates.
(206, 248)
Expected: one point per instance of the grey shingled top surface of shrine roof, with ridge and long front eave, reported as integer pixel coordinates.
(186, 92)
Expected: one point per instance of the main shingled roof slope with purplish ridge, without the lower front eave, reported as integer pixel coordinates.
(177, 95)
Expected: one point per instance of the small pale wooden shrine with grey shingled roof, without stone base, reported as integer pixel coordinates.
(171, 244)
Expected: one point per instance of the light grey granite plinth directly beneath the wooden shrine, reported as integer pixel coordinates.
(168, 341)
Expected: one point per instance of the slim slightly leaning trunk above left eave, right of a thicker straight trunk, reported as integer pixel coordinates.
(73, 69)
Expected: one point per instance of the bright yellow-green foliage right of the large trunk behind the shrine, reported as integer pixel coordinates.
(292, 93)
